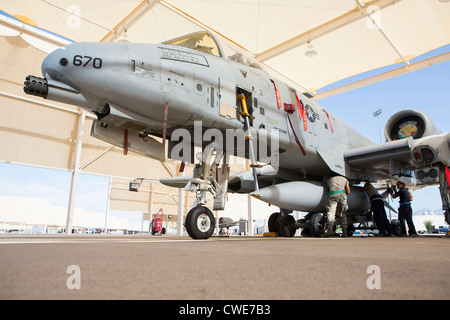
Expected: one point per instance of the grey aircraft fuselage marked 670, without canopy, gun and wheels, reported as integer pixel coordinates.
(135, 81)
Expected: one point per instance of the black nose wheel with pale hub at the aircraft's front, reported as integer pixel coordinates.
(200, 223)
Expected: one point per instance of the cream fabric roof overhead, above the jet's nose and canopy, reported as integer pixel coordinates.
(349, 36)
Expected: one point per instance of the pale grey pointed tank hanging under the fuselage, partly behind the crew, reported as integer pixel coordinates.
(309, 196)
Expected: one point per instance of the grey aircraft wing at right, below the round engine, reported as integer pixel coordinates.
(401, 157)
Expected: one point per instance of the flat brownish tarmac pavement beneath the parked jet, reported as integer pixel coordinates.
(231, 268)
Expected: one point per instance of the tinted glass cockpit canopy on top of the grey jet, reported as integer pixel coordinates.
(205, 42)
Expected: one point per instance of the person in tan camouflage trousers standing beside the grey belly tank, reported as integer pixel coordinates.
(339, 188)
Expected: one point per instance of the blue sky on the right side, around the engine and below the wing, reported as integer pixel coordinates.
(426, 90)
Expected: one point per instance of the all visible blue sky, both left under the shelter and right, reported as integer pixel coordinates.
(427, 90)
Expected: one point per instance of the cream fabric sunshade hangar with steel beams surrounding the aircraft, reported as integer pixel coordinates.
(343, 37)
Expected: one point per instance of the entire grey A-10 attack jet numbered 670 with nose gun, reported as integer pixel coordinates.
(189, 93)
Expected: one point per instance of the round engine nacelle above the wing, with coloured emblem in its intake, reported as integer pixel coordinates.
(409, 123)
